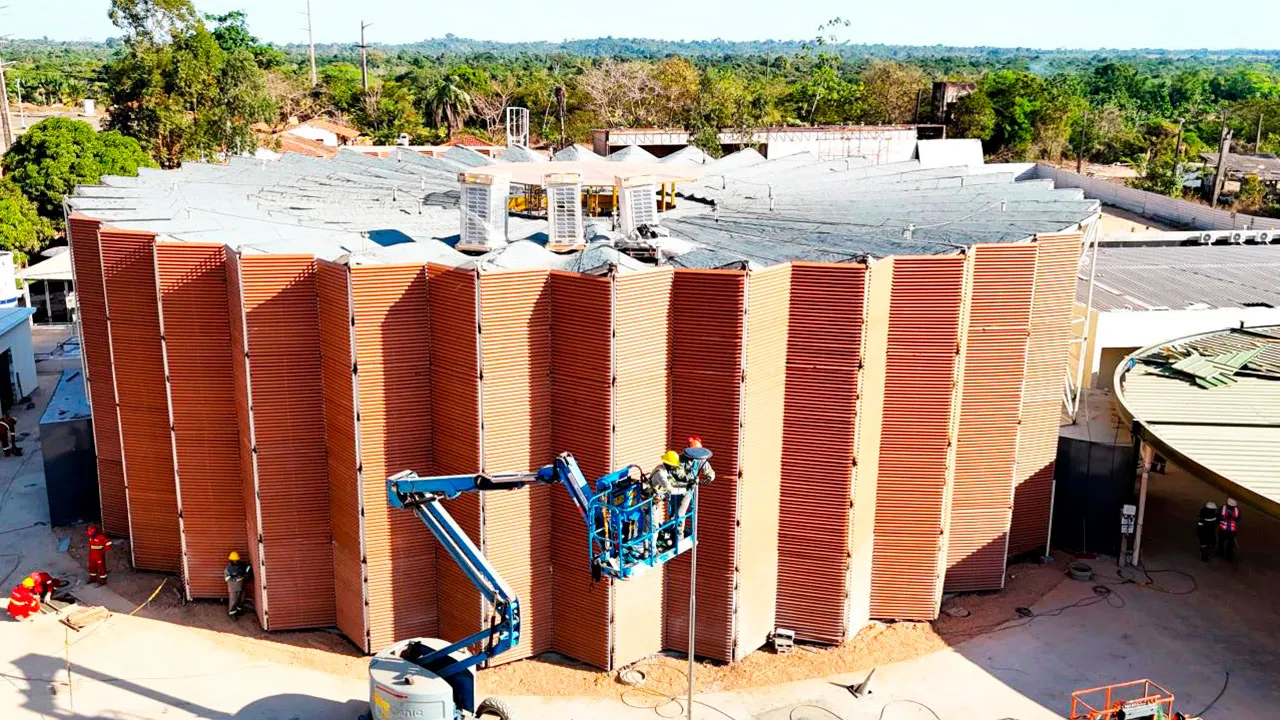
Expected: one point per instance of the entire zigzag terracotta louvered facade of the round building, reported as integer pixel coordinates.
(907, 404)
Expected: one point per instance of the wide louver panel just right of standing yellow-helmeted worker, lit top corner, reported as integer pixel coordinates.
(287, 413)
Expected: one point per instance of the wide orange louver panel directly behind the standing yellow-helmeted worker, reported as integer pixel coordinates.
(196, 341)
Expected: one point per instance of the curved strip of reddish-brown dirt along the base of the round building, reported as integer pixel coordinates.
(554, 676)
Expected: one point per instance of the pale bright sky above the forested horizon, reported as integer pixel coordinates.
(1025, 24)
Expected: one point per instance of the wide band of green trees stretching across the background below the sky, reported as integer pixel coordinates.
(180, 86)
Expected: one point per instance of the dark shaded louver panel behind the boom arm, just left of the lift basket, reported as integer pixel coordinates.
(582, 325)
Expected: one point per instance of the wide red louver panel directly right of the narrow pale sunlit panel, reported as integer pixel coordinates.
(820, 422)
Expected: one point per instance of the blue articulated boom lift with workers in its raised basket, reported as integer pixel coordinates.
(435, 680)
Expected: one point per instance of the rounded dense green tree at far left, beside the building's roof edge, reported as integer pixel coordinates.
(57, 154)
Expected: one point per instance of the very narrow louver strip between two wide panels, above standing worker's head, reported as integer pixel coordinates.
(245, 427)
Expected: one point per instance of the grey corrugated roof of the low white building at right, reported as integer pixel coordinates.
(1142, 279)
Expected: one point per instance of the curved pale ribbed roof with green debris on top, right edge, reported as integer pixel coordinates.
(1231, 435)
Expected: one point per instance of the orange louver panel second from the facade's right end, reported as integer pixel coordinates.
(982, 498)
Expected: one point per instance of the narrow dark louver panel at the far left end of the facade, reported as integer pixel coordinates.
(92, 298)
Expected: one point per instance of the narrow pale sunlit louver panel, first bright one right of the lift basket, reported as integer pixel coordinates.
(769, 303)
